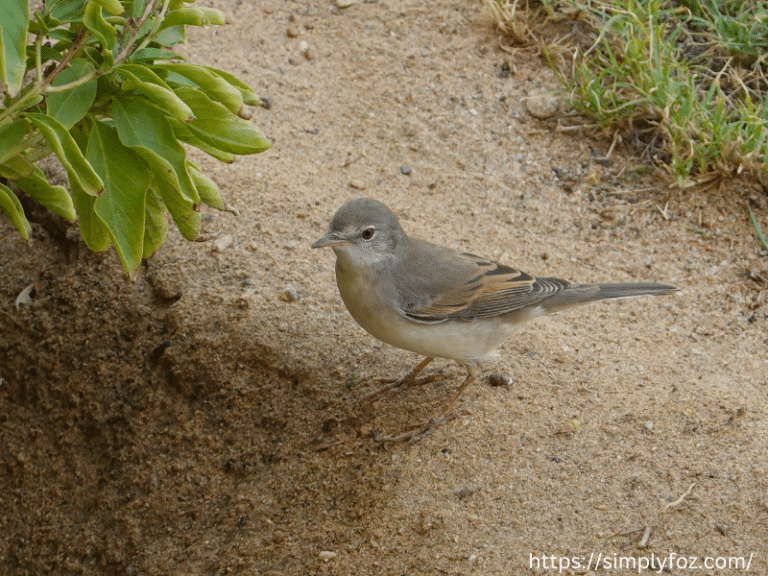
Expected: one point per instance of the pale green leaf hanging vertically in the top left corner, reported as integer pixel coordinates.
(14, 22)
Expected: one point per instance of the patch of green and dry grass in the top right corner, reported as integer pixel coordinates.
(685, 81)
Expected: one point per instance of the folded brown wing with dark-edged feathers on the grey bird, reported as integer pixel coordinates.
(463, 286)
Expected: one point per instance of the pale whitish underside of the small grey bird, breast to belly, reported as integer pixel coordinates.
(458, 340)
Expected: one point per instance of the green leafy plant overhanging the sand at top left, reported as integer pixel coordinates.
(96, 83)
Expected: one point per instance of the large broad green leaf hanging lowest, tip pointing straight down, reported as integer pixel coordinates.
(122, 206)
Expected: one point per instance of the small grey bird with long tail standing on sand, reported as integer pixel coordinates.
(438, 302)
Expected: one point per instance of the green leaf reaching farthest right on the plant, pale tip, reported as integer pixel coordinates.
(217, 126)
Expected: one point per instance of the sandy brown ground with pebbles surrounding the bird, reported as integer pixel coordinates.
(191, 421)
